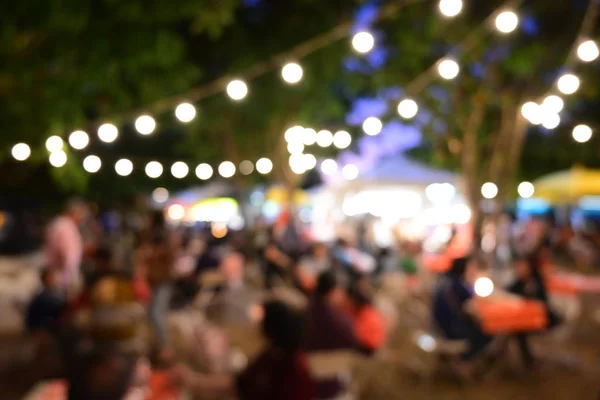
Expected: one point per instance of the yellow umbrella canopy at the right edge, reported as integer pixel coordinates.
(568, 186)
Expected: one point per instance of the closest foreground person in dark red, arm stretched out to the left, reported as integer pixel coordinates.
(280, 372)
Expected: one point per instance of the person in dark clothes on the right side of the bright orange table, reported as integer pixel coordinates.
(530, 285)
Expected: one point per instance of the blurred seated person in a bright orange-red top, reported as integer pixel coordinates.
(369, 324)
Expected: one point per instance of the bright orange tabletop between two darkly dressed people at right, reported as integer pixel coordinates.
(509, 316)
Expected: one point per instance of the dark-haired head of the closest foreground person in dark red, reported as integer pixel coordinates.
(284, 325)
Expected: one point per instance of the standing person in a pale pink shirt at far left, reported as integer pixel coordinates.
(64, 244)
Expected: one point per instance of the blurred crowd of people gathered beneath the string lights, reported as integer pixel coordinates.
(143, 274)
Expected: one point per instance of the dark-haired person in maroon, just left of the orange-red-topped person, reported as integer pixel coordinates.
(329, 328)
